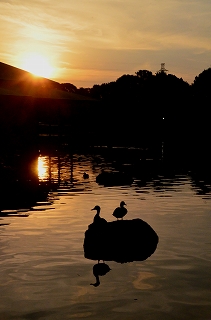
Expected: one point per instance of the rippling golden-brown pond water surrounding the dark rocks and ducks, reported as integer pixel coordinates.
(44, 274)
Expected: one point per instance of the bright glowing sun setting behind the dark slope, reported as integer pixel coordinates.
(38, 65)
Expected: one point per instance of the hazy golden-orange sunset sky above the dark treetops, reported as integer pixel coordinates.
(89, 42)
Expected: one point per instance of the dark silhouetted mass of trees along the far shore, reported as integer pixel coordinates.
(147, 105)
